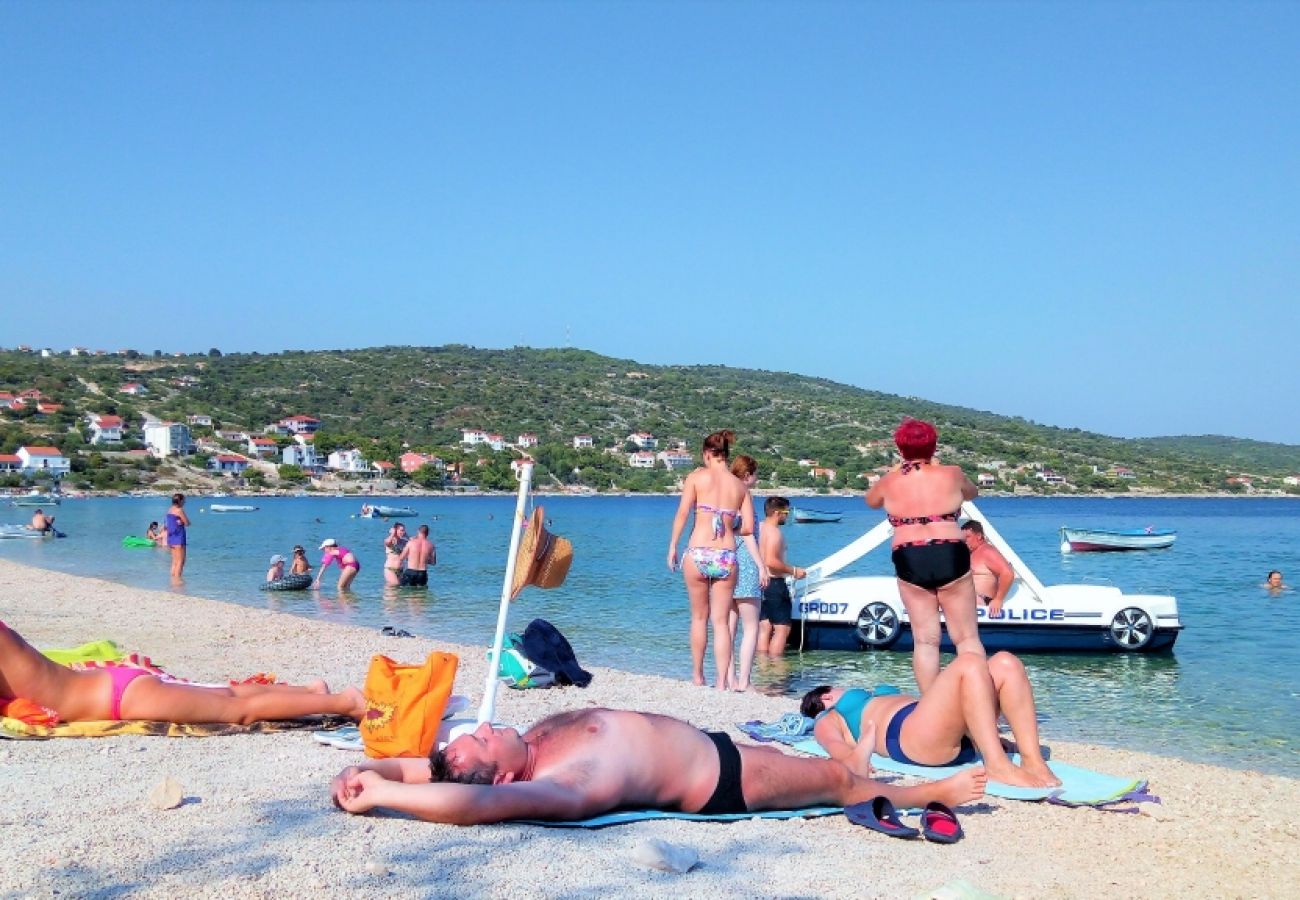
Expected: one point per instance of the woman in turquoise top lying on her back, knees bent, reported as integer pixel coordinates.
(956, 717)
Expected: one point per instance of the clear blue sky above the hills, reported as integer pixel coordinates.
(1087, 215)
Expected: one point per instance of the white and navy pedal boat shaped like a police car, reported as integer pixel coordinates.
(868, 613)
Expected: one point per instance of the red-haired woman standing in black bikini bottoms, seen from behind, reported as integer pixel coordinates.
(924, 501)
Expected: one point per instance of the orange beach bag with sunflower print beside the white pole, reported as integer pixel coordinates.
(405, 704)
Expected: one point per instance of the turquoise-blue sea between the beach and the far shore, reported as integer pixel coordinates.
(1229, 694)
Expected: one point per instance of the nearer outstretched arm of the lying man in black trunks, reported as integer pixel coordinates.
(475, 804)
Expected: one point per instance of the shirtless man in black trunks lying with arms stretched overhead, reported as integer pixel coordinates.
(588, 763)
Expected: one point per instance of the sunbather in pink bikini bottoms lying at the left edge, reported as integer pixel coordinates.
(133, 694)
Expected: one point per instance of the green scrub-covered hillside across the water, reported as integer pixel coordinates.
(805, 432)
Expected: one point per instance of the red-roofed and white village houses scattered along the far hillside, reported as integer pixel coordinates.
(291, 442)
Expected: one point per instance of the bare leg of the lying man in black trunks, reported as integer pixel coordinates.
(772, 780)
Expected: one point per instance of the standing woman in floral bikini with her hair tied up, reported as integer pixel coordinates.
(723, 510)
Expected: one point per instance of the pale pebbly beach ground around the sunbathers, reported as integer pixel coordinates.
(258, 821)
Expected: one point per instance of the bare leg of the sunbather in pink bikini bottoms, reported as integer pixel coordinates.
(161, 702)
